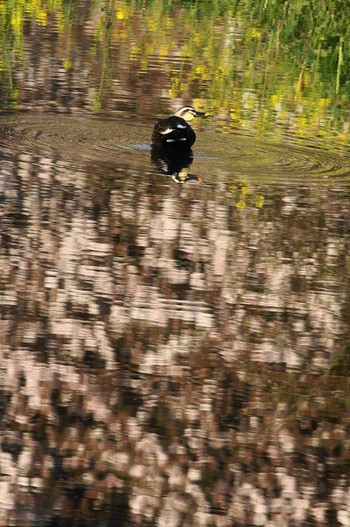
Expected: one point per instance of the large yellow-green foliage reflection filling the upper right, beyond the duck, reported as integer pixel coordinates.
(264, 65)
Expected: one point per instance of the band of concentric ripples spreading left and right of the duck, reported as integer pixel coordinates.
(111, 141)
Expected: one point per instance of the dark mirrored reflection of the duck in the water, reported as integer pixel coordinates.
(174, 163)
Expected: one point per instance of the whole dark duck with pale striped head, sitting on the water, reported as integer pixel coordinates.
(175, 132)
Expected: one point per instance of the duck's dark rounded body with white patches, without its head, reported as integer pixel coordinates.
(173, 132)
